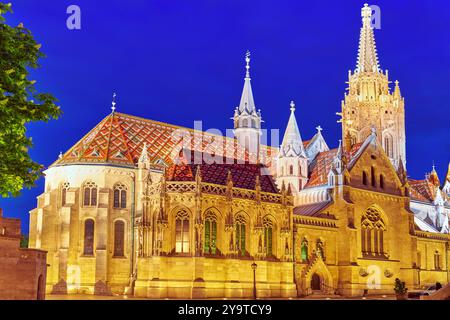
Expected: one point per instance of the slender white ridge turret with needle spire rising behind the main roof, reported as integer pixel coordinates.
(247, 120)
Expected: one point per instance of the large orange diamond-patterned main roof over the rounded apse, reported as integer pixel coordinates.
(119, 139)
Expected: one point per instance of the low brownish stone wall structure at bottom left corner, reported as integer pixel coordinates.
(22, 271)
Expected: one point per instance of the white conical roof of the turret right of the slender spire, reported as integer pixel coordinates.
(292, 140)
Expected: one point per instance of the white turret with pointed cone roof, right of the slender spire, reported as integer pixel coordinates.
(292, 162)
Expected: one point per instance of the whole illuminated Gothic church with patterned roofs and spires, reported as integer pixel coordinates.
(143, 208)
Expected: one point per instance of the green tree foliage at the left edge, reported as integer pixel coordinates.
(20, 103)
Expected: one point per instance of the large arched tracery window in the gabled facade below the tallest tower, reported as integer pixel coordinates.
(372, 233)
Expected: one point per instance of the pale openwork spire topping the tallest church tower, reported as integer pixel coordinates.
(367, 52)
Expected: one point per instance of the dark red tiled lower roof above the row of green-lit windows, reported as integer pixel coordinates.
(243, 175)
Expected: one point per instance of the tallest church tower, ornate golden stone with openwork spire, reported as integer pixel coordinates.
(370, 103)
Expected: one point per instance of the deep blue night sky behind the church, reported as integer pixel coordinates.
(179, 61)
